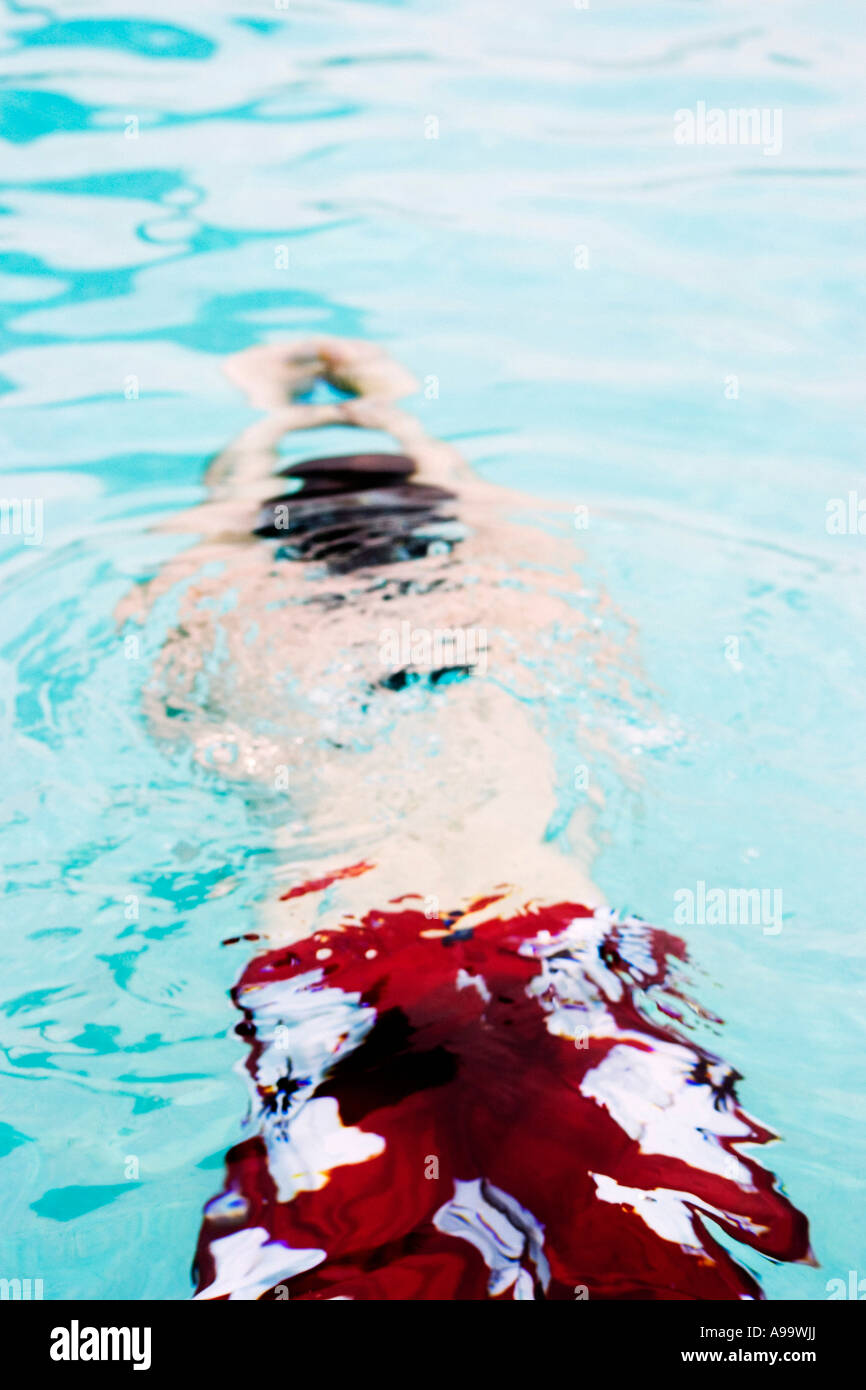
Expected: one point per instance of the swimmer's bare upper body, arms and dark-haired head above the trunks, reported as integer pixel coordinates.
(408, 764)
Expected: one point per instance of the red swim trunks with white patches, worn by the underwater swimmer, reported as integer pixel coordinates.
(501, 1113)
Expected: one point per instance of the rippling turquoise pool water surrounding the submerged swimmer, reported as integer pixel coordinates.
(158, 173)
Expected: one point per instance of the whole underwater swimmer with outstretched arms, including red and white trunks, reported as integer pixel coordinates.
(468, 1079)
